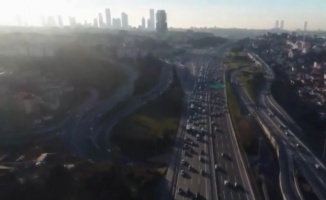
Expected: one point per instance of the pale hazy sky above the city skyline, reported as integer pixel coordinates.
(180, 13)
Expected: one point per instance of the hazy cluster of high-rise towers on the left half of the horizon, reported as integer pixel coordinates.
(156, 21)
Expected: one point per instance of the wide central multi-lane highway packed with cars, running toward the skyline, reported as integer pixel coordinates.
(216, 137)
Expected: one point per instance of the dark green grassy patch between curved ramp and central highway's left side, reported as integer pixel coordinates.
(151, 130)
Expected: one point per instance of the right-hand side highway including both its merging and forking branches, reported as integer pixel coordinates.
(292, 152)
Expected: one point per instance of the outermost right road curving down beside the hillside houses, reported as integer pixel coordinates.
(305, 160)
